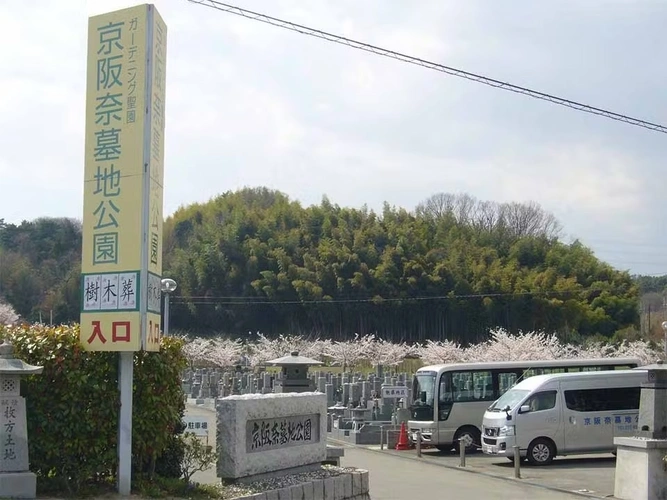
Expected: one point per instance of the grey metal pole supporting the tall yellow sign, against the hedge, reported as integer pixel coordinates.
(125, 376)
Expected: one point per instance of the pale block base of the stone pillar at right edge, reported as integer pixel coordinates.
(641, 473)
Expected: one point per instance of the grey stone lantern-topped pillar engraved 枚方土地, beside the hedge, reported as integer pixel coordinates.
(16, 480)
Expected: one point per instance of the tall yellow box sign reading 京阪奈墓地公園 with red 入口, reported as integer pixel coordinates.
(124, 171)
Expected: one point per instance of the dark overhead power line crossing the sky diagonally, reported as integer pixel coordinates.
(256, 16)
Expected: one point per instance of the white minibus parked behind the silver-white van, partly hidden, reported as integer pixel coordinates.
(449, 400)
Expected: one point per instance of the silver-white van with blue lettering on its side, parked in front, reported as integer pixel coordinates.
(563, 414)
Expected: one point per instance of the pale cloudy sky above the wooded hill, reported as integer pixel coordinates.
(249, 104)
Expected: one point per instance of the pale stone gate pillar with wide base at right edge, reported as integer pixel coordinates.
(641, 472)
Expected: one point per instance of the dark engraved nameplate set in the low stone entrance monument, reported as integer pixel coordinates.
(272, 433)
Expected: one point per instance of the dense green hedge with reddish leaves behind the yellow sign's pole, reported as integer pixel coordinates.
(73, 405)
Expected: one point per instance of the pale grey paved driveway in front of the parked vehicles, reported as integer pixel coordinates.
(399, 475)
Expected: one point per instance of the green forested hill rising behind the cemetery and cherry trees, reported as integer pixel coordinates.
(253, 260)
